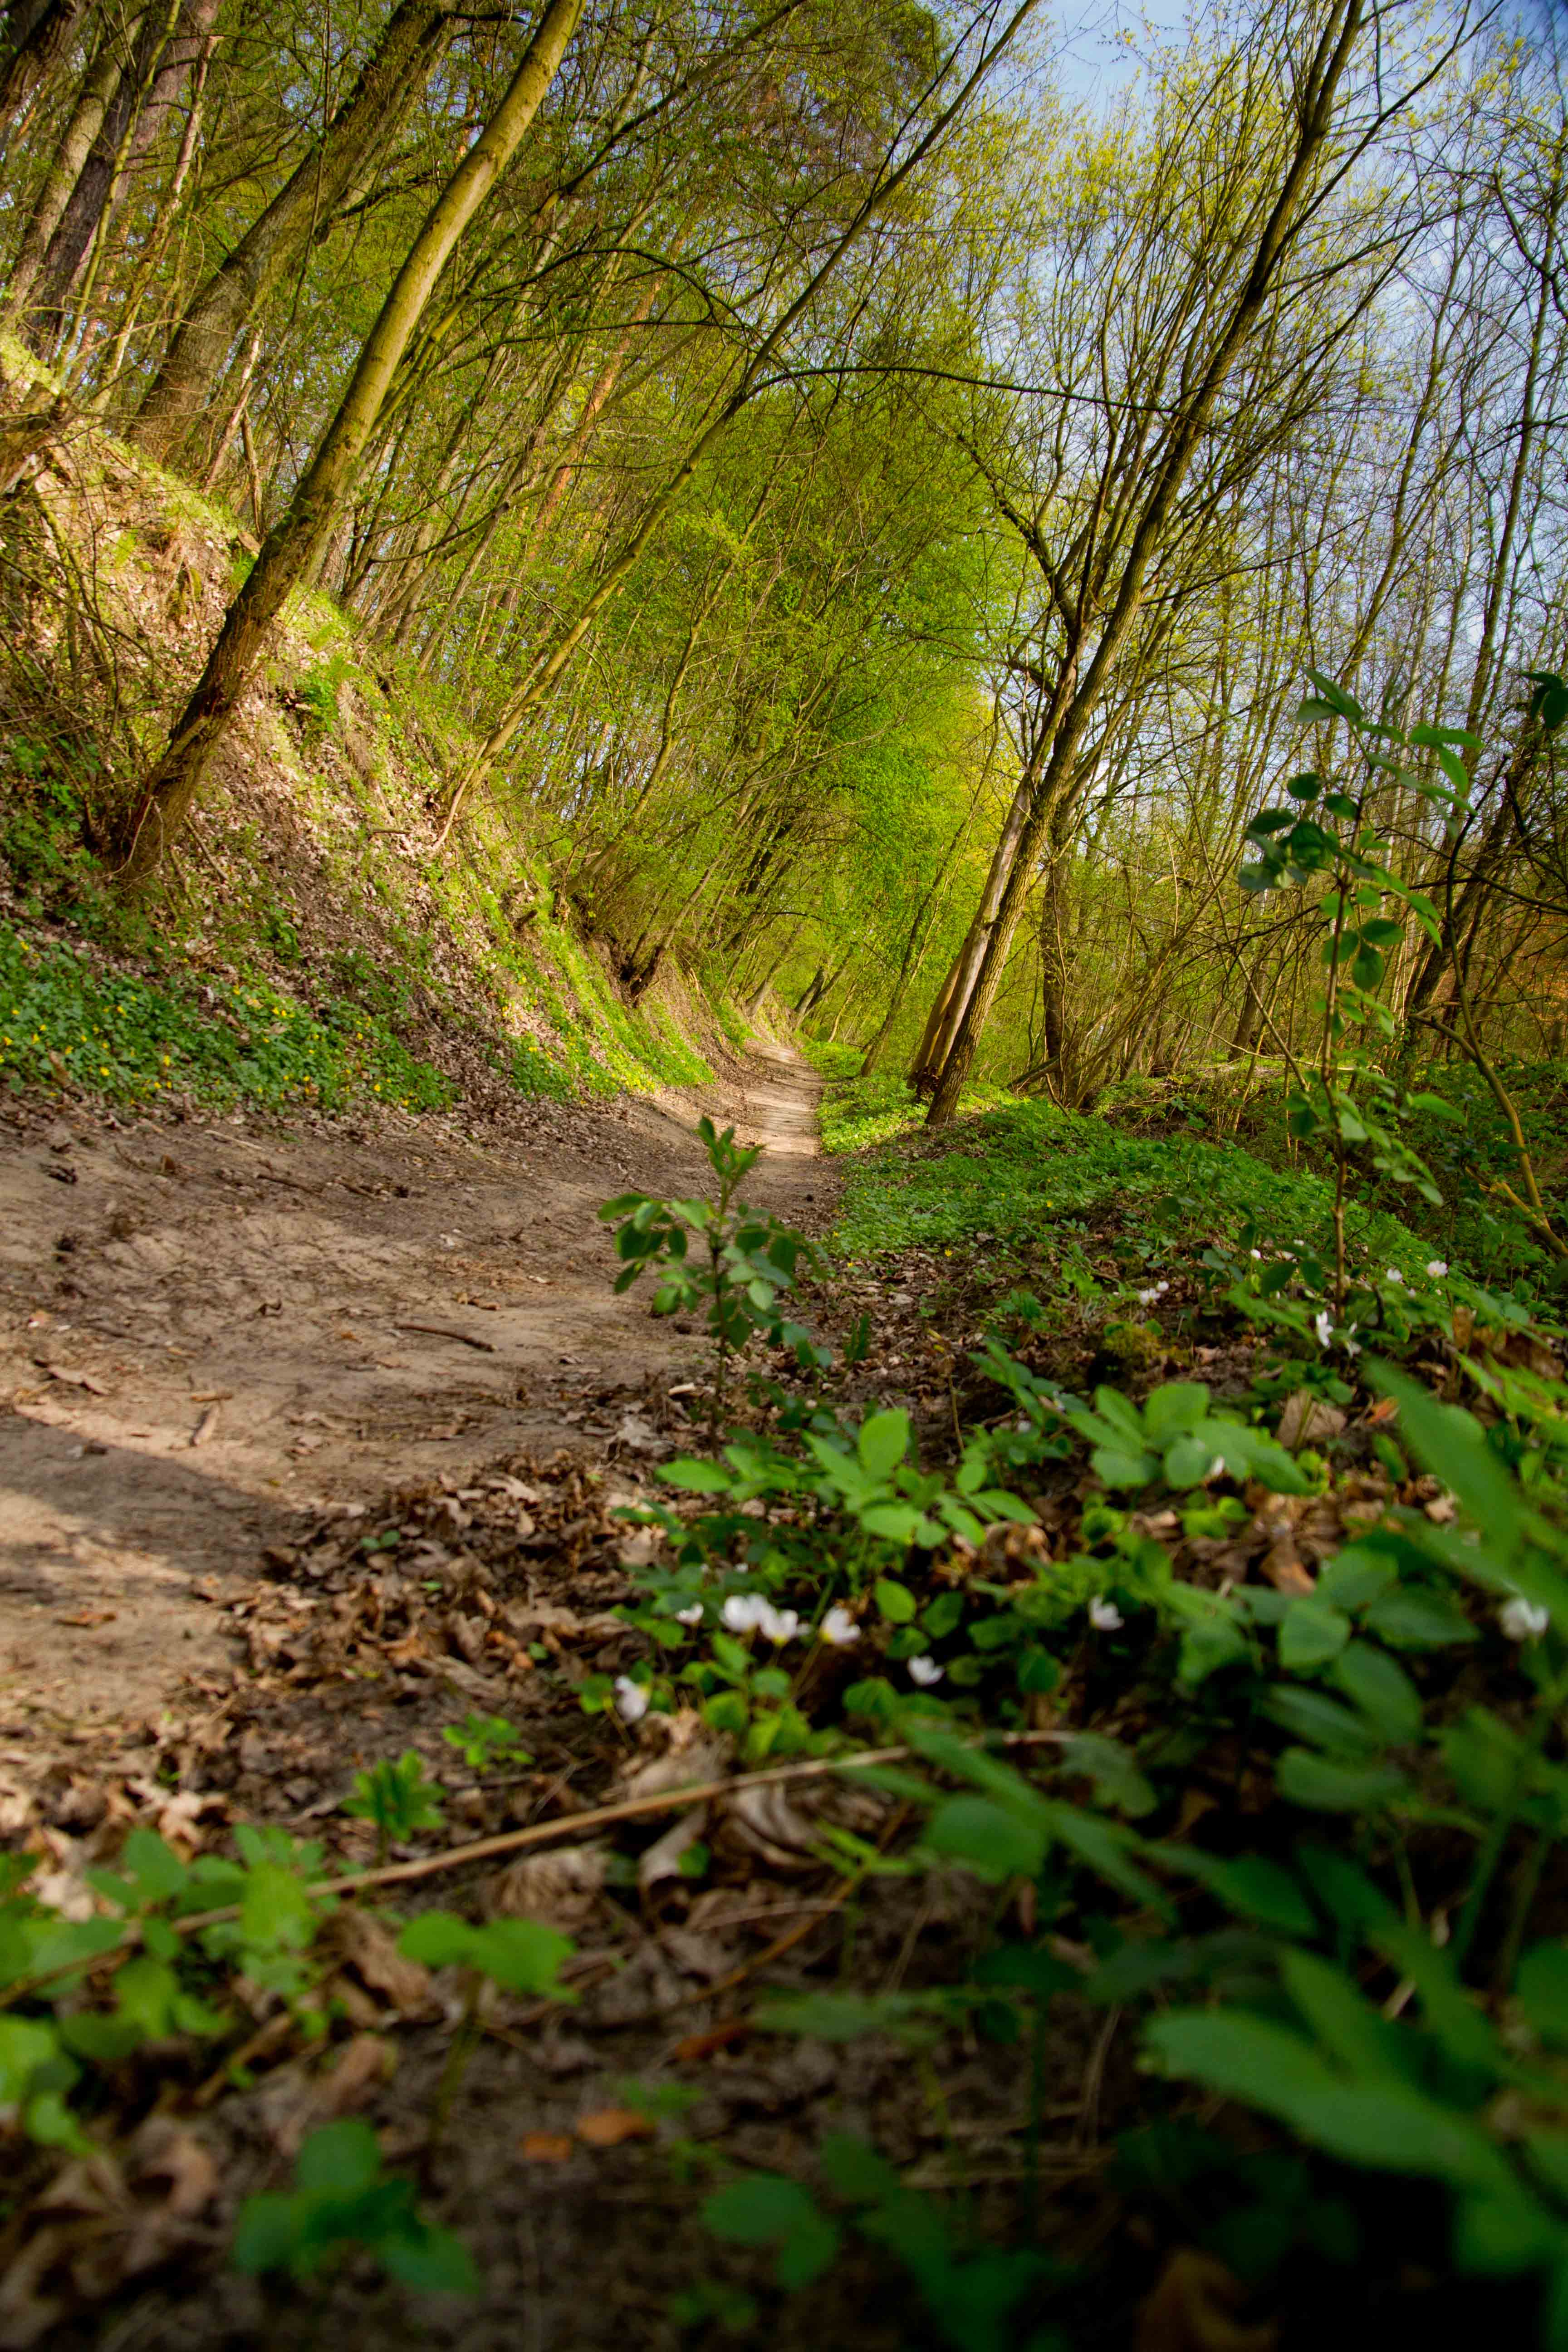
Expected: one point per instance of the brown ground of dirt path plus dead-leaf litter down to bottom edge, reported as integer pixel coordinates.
(161, 1666)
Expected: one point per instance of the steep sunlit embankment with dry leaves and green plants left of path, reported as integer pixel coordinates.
(316, 926)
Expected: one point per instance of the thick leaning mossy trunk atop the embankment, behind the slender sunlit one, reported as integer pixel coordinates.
(300, 215)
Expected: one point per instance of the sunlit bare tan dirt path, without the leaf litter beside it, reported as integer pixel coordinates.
(217, 1330)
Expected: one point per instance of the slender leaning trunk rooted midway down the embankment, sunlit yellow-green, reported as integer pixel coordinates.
(297, 542)
